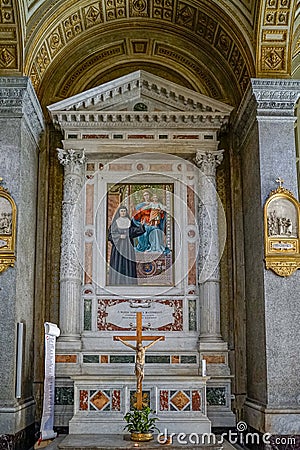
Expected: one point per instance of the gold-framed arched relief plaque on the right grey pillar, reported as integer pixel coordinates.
(281, 228)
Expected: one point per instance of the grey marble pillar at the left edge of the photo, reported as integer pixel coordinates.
(22, 126)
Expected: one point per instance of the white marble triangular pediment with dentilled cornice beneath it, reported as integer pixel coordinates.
(166, 105)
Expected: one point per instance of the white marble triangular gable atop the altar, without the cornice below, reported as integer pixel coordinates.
(140, 91)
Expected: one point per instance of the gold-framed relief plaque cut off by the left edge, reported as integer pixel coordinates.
(8, 212)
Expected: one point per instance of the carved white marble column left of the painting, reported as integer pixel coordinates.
(71, 247)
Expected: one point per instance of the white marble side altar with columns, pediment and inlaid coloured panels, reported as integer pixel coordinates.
(143, 232)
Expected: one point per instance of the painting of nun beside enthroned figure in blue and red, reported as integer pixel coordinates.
(140, 234)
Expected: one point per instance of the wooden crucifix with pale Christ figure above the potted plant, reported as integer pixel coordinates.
(140, 354)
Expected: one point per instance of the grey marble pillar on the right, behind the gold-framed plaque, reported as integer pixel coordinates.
(266, 142)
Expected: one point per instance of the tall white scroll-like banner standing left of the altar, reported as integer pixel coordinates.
(51, 333)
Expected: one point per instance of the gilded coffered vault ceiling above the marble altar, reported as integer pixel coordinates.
(211, 46)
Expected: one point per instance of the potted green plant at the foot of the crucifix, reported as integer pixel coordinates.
(140, 424)
